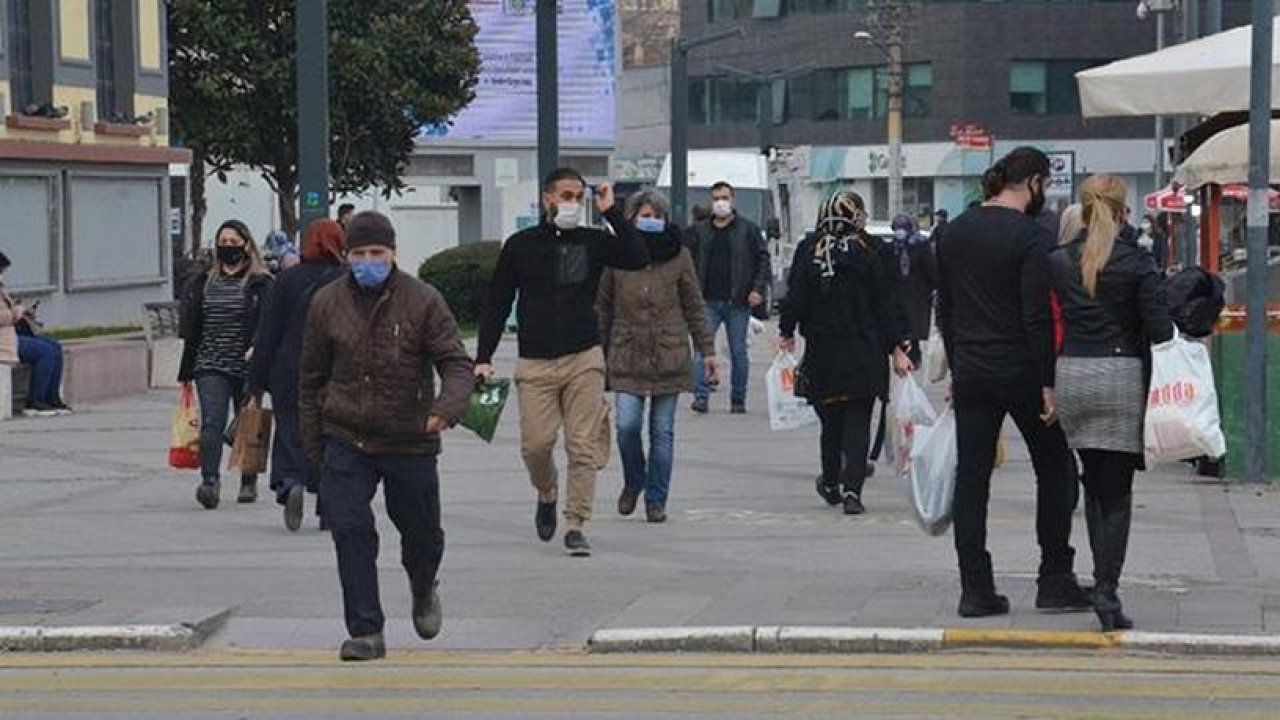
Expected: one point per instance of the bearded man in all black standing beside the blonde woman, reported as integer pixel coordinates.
(998, 325)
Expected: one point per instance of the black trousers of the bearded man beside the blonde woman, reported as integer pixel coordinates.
(981, 409)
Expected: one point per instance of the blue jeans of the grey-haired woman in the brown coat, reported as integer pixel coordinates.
(655, 479)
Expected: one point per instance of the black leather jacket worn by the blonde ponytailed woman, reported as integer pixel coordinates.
(1130, 312)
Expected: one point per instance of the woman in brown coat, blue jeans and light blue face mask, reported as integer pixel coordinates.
(648, 317)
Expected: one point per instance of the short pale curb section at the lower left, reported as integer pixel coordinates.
(159, 639)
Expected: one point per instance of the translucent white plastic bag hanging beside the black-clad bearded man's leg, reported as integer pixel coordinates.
(934, 473)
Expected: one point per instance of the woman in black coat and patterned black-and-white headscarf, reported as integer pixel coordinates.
(844, 299)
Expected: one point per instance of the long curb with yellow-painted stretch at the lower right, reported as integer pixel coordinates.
(807, 641)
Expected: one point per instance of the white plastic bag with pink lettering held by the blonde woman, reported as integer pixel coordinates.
(1182, 407)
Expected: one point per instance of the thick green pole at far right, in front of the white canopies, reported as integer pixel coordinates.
(1256, 275)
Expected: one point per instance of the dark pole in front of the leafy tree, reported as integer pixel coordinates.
(313, 72)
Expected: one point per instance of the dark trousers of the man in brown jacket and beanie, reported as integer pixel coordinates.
(413, 489)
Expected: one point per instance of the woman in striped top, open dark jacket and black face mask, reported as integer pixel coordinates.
(218, 321)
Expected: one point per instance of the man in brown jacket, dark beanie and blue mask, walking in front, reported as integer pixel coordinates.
(369, 412)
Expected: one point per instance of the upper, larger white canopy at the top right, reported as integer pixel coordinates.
(1203, 78)
